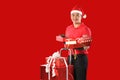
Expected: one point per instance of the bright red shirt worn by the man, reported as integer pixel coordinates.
(74, 33)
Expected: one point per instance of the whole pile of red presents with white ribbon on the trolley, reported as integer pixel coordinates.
(56, 68)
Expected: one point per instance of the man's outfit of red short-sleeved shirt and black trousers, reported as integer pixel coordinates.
(81, 61)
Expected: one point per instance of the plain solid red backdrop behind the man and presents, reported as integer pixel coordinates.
(28, 30)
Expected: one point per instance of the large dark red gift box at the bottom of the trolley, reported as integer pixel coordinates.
(61, 75)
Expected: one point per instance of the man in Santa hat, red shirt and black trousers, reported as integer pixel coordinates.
(78, 32)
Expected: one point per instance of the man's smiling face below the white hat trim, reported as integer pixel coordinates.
(76, 18)
